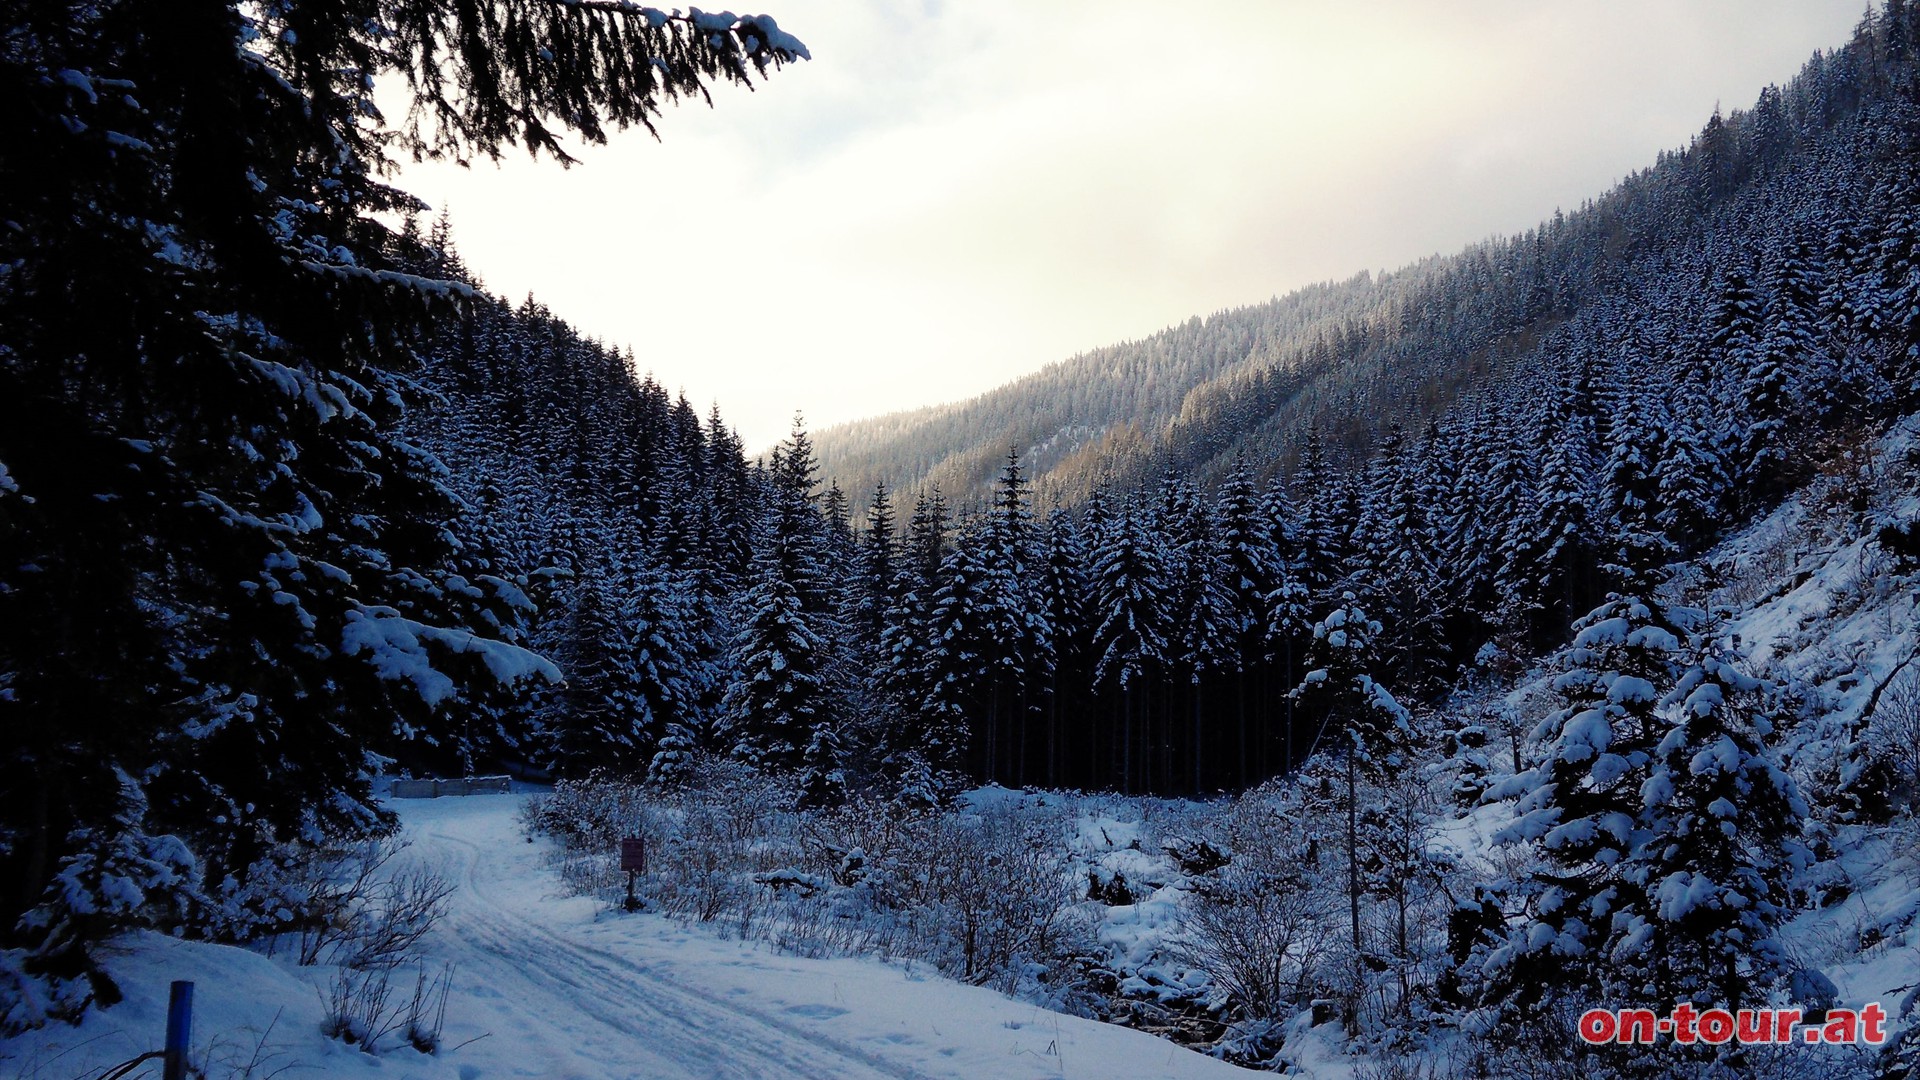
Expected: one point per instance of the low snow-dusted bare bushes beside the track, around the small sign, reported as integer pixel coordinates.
(984, 895)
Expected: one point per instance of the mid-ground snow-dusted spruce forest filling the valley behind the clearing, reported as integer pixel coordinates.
(1669, 362)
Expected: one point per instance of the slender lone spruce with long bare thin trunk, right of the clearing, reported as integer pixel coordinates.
(1372, 729)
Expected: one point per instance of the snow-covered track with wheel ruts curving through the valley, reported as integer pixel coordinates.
(562, 989)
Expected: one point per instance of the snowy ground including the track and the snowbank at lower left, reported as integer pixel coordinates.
(556, 987)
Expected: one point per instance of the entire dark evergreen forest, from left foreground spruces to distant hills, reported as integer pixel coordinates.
(289, 501)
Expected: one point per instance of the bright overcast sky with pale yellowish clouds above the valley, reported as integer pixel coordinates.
(953, 195)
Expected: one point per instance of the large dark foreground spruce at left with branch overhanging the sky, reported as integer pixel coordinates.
(222, 577)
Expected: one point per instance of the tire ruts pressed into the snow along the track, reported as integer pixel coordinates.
(646, 1018)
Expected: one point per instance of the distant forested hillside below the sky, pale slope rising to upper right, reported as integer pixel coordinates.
(1406, 345)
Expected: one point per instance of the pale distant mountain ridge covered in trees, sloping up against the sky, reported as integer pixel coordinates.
(1349, 356)
